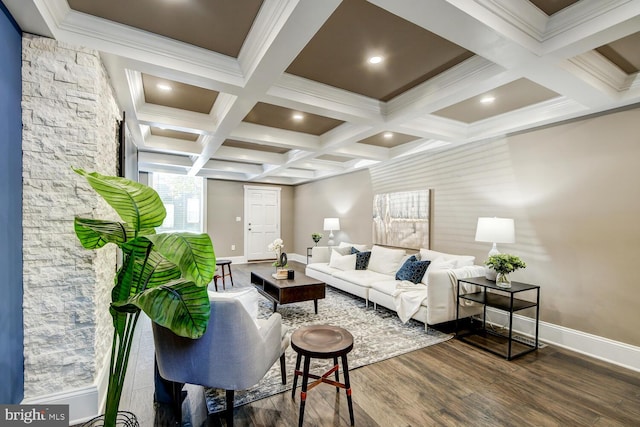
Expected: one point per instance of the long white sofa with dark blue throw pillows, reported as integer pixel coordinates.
(434, 297)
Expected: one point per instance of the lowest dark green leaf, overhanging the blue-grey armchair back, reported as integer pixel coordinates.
(181, 306)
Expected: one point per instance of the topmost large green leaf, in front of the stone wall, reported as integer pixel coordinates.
(137, 204)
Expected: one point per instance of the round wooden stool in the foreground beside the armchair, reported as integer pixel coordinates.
(321, 342)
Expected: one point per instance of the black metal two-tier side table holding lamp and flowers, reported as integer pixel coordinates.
(505, 301)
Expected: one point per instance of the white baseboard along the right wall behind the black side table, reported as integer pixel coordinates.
(607, 350)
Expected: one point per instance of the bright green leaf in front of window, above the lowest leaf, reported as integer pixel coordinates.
(192, 253)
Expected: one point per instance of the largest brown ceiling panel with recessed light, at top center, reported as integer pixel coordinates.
(338, 53)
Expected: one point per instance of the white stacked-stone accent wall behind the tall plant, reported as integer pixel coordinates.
(69, 118)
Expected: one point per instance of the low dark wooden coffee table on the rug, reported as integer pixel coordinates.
(285, 291)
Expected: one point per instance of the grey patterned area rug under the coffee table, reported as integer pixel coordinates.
(378, 335)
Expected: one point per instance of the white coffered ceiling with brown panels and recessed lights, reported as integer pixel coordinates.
(285, 91)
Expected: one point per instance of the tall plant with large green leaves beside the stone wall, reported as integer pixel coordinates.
(165, 275)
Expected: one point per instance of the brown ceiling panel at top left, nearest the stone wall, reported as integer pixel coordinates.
(217, 25)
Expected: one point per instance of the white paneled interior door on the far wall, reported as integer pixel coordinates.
(262, 220)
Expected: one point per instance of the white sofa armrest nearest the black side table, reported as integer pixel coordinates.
(442, 292)
